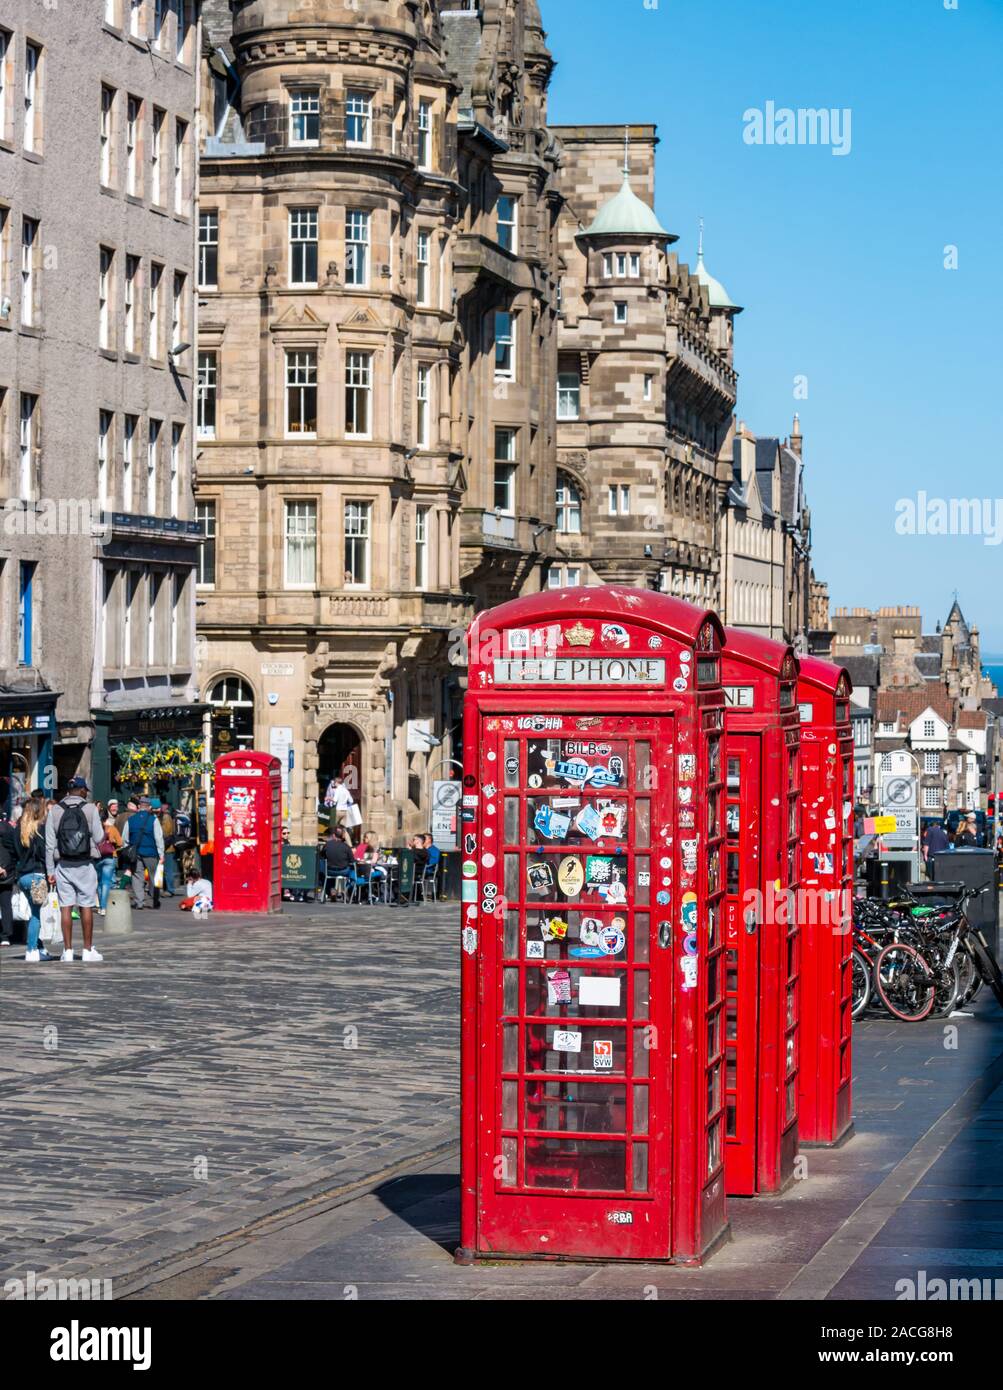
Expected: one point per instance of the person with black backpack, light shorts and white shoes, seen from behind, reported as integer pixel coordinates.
(74, 836)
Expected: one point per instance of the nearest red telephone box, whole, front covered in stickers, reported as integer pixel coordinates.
(592, 824)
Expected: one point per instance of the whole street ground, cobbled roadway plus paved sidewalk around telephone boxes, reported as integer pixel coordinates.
(331, 1170)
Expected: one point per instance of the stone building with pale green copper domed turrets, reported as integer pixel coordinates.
(647, 380)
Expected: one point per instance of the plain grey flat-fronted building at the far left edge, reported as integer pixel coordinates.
(98, 108)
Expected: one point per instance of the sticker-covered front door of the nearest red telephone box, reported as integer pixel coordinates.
(577, 1147)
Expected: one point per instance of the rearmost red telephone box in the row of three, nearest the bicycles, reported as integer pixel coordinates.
(827, 971)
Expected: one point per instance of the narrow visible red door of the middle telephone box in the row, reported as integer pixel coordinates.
(744, 925)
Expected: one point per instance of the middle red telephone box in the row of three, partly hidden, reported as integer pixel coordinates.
(762, 878)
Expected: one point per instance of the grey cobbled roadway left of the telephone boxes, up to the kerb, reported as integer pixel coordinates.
(206, 1075)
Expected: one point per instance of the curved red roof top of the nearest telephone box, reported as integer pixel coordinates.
(608, 601)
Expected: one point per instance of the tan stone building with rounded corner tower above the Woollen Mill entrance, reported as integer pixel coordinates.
(377, 358)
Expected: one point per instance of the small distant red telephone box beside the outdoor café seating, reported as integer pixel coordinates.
(248, 833)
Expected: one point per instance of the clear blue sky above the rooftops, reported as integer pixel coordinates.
(840, 262)
